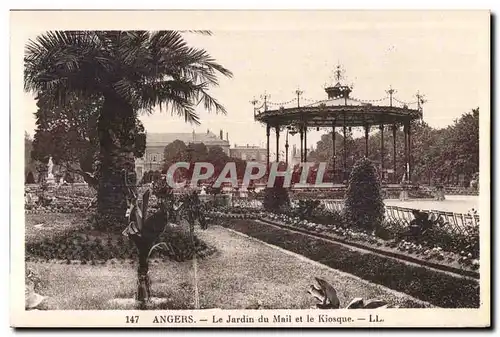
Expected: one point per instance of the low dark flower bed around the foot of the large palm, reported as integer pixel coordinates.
(71, 237)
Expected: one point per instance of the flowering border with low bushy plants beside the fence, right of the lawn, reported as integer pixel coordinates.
(439, 244)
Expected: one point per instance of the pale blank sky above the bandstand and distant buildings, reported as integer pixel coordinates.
(441, 59)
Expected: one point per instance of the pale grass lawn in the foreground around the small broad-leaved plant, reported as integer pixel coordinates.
(242, 272)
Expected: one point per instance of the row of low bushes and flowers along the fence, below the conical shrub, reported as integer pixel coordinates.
(435, 242)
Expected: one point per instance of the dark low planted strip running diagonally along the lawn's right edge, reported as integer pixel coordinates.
(439, 288)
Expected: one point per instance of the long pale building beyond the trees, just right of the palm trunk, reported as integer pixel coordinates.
(156, 142)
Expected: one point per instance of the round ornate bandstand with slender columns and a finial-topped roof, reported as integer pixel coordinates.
(340, 111)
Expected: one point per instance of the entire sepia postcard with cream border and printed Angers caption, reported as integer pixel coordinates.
(250, 169)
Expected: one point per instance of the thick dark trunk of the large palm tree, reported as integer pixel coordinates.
(116, 127)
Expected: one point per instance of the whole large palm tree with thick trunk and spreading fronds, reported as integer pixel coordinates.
(132, 72)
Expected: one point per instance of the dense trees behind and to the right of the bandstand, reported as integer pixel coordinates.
(437, 154)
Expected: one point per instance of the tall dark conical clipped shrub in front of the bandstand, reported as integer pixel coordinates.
(364, 206)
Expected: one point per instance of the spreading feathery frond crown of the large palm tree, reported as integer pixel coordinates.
(120, 62)
